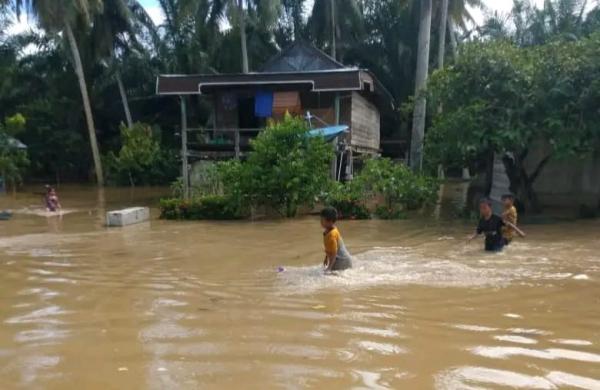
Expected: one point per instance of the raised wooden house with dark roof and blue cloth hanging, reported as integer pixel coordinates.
(301, 80)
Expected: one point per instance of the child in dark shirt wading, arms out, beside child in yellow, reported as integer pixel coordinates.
(492, 227)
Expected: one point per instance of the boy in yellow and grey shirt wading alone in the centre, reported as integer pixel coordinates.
(337, 257)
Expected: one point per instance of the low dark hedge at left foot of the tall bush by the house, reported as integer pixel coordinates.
(213, 207)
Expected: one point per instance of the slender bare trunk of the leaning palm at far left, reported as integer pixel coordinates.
(86, 104)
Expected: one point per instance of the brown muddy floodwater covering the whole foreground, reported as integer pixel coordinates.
(173, 305)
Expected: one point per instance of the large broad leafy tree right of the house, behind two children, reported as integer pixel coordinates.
(502, 98)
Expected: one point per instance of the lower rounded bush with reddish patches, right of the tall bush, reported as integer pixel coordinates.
(392, 188)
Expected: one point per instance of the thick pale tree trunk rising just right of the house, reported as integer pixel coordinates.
(420, 112)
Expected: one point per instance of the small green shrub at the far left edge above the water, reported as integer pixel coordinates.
(12, 159)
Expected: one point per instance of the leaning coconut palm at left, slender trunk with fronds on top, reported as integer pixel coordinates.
(62, 16)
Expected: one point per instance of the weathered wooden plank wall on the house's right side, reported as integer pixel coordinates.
(365, 124)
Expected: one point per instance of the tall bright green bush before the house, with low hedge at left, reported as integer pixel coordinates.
(285, 170)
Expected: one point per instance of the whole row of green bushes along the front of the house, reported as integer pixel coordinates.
(288, 171)
